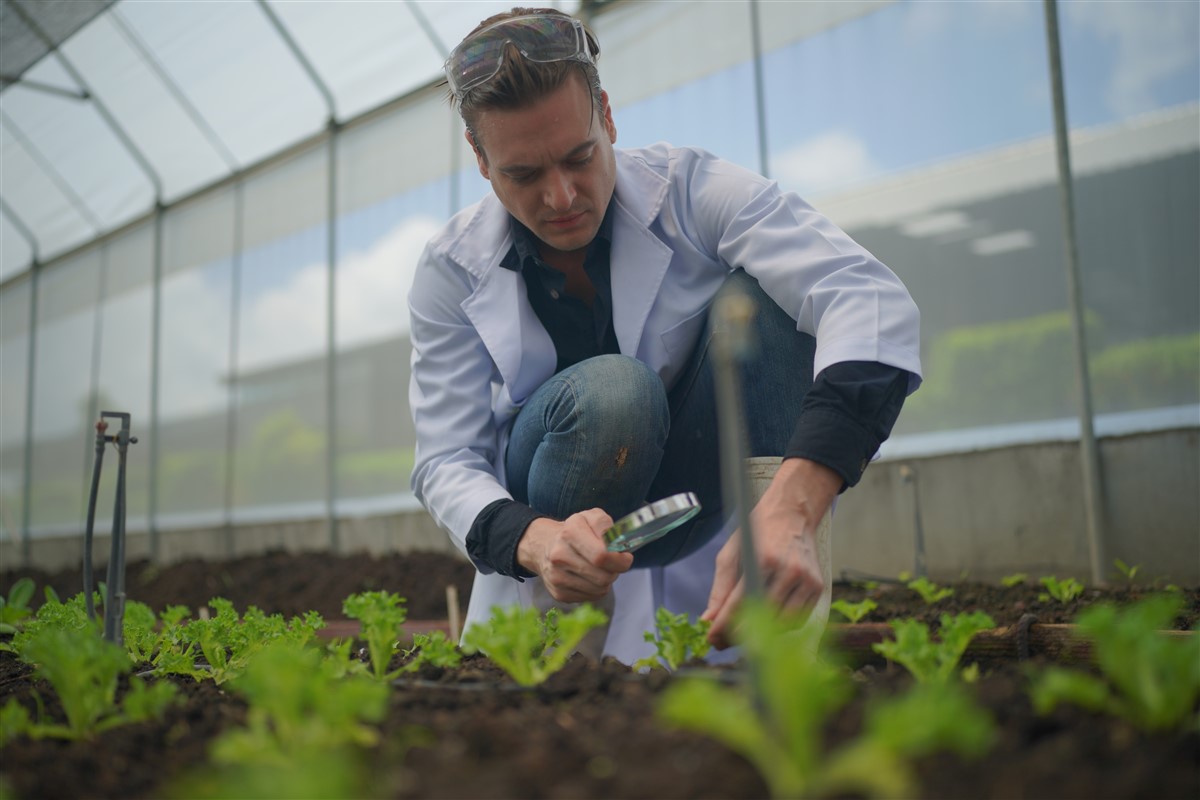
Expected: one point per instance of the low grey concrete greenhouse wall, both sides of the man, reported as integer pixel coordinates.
(989, 514)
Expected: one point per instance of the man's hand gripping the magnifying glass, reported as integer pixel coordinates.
(571, 556)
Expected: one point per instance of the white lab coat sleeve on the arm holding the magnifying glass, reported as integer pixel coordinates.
(458, 443)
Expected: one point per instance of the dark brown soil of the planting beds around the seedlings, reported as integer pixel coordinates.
(591, 731)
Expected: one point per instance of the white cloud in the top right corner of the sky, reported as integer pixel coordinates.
(1154, 40)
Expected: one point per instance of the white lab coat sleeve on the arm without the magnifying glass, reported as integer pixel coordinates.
(856, 308)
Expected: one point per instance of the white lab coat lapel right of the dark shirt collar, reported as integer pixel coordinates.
(639, 261)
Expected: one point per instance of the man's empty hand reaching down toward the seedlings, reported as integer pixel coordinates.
(785, 524)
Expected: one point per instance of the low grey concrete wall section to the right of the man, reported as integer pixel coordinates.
(1022, 510)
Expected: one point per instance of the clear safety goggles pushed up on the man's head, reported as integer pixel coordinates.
(542, 39)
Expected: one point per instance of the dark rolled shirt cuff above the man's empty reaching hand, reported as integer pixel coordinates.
(847, 416)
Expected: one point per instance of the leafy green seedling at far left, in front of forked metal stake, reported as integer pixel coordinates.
(85, 669)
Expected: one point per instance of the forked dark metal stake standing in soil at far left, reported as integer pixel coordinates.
(115, 600)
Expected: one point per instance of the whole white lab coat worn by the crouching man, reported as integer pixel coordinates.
(682, 221)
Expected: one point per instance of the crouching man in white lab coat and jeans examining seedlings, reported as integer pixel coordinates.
(561, 350)
